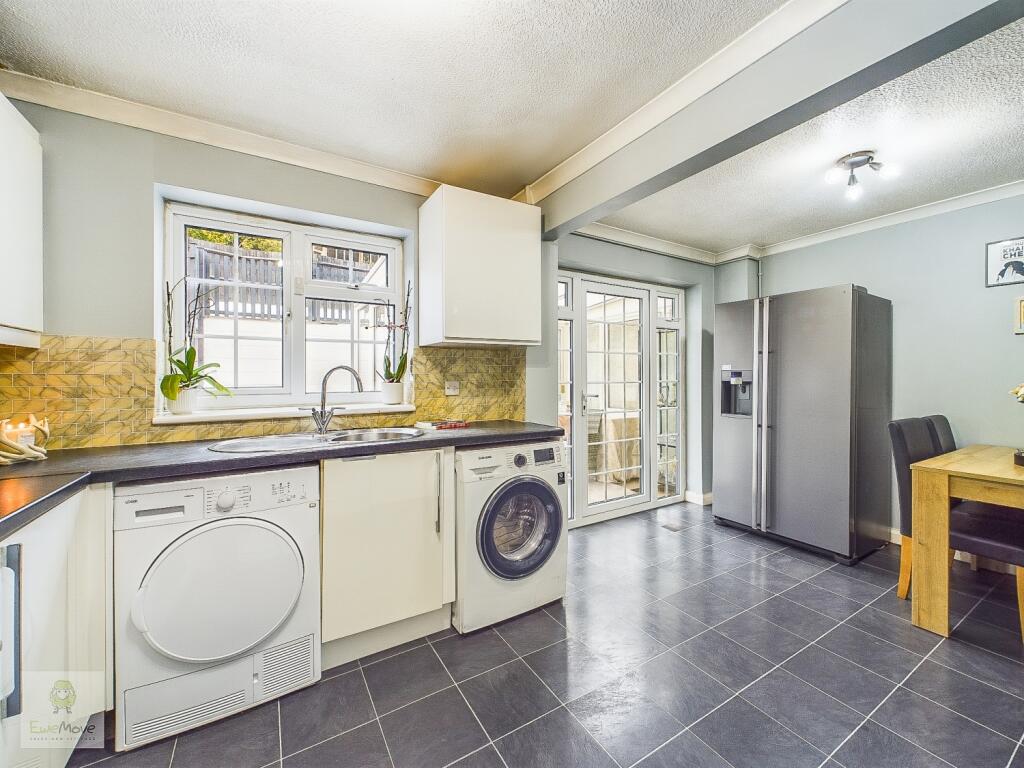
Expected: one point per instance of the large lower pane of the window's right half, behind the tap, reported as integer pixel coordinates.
(346, 333)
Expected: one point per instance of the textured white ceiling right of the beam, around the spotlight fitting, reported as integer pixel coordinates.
(954, 126)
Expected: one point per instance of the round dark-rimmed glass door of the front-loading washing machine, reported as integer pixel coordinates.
(520, 528)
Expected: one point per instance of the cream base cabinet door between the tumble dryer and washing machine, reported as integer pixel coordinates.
(389, 540)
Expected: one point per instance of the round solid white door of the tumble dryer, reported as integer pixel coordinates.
(220, 590)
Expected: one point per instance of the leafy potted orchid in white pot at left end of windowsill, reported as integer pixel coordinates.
(185, 379)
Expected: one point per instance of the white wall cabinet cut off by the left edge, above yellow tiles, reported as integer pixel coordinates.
(22, 225)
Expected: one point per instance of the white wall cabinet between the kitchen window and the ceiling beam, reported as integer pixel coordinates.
(480, 270)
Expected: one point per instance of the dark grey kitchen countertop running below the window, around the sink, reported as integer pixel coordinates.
(31, 489)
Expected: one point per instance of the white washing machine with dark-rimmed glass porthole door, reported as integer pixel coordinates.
(511, 537)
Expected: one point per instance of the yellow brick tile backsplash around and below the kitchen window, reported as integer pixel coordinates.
(102, 392)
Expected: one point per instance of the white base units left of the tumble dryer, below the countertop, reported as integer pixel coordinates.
(63, 628)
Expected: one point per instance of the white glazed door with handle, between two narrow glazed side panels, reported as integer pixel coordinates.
(612, 467)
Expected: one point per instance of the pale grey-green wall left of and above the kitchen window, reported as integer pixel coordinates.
(99, 212)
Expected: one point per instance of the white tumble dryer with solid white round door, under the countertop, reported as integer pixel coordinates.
(217, 599)
